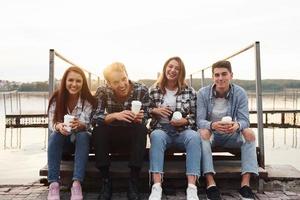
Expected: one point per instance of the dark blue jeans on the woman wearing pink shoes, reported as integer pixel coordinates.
(57, 144)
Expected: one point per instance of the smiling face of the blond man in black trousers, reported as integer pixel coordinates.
(119, 83)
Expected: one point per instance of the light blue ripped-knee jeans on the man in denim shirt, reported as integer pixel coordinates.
(235, 140)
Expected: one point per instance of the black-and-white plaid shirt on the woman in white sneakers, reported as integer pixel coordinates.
(185, 103)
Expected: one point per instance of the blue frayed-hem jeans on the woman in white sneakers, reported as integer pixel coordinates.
(187, 139)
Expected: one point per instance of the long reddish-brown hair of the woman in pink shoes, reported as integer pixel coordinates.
(61, 95)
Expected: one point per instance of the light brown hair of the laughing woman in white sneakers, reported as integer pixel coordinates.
(162, 80)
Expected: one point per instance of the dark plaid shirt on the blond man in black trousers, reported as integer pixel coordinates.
(108, 104)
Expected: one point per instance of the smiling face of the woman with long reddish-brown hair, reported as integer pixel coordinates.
(74, 82)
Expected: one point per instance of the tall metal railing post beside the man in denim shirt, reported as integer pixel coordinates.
(259, 105)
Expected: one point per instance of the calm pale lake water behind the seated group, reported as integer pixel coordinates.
(23, 151)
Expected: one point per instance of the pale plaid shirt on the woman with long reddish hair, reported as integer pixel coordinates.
(82, 112)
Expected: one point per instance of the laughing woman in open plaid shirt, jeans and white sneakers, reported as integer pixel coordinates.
(169, 94)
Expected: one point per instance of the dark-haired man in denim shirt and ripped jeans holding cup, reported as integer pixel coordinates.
(223, 120)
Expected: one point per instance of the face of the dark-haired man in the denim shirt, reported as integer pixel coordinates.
(222, 78)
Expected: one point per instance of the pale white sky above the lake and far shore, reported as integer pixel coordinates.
(144, 34)
